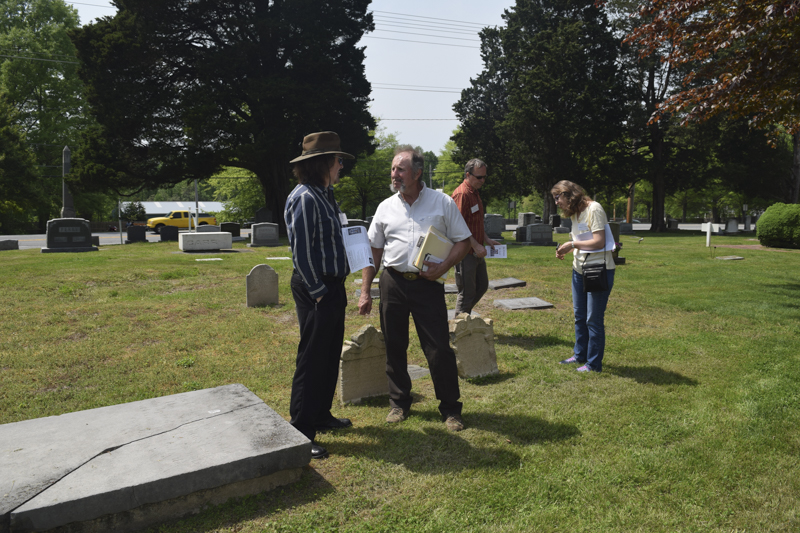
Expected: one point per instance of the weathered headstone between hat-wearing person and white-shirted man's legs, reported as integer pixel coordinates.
(362, 367)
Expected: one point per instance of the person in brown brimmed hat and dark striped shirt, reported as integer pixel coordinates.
(314, 226)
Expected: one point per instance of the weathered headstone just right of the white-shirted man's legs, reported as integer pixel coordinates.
(472, 340)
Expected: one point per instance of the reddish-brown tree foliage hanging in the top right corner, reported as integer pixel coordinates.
(742, 57)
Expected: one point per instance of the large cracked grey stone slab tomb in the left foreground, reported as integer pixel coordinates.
(125, 467)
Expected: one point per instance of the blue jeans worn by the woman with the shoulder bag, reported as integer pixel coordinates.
(590, 330)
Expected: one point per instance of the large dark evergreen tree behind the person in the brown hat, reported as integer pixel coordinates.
(181, 88)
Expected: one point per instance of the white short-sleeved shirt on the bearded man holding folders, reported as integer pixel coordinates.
(397, 226)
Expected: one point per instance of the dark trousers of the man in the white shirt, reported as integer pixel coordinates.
(424, 301)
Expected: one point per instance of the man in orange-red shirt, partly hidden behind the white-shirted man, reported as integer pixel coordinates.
(471, 277)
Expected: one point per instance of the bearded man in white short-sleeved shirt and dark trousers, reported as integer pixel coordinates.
(400, 221)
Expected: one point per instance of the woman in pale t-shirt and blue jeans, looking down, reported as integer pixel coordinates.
(588, 233)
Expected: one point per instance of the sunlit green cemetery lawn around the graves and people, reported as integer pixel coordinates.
(692, 426)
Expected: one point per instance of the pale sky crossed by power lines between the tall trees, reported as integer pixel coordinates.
(414, 84)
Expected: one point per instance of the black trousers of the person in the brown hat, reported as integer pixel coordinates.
(317, 367)
